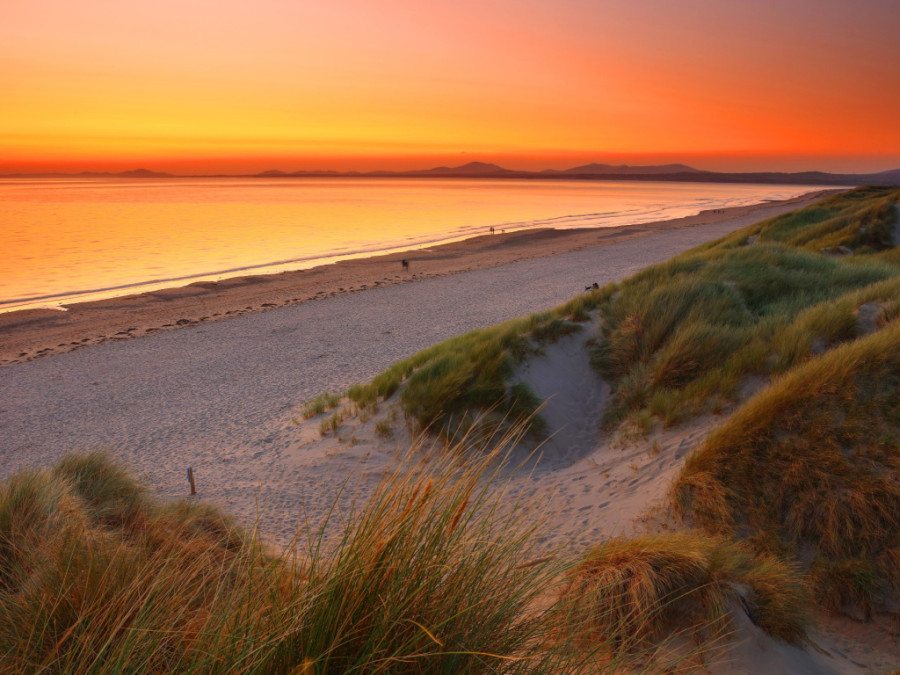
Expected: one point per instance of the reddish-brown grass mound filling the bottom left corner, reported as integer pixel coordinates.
(96, 577)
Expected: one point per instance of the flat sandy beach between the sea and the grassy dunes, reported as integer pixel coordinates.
(163, 389)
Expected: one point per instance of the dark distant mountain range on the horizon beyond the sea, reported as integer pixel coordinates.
(593, 171)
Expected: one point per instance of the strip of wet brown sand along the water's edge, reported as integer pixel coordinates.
(30, 334)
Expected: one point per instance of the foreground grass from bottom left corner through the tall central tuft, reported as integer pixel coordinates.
(437, 572)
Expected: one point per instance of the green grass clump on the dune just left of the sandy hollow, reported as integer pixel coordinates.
(465, 381)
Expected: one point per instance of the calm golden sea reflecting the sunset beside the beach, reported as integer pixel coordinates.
(76, 239)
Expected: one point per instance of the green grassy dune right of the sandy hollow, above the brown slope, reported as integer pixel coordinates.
(687, 332)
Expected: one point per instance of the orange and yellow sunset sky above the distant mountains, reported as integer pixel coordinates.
(231, 86)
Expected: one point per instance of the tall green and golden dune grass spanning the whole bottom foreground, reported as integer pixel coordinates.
(437, 571)
